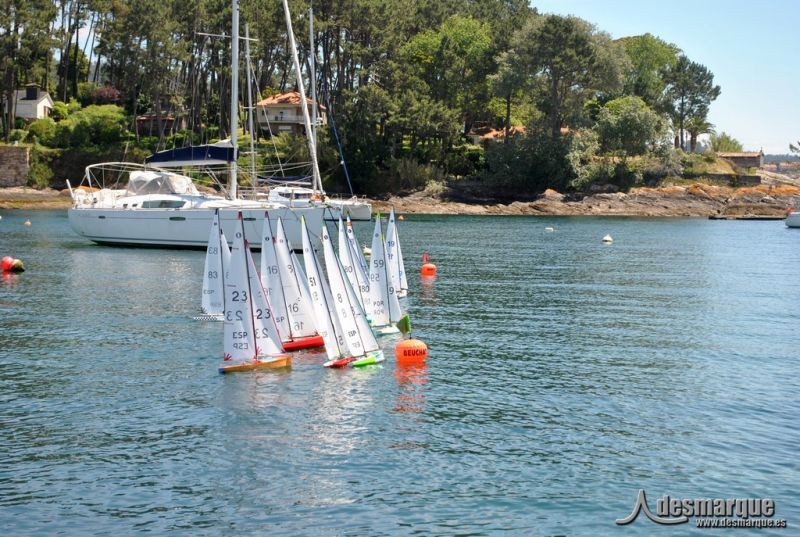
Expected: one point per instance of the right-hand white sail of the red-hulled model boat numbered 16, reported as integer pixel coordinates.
(295, 292)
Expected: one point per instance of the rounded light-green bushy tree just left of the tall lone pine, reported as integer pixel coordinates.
(628, 126)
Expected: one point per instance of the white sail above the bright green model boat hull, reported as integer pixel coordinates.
(355, 329)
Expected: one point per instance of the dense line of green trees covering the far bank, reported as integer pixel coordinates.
(405, 79)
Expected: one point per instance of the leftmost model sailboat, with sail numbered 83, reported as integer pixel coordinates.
(218, 258)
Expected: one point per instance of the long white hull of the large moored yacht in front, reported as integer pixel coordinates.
(183, 228)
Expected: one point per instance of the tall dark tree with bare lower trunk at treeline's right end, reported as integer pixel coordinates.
(690, 91)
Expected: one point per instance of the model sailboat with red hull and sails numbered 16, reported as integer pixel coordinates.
(281, 284)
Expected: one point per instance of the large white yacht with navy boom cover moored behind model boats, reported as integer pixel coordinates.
(148, 205)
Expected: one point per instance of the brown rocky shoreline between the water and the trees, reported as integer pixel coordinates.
(694, 200)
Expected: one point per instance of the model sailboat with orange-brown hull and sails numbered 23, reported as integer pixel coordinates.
(250, 336)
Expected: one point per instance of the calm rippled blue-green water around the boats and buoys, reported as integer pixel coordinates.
(565, 375)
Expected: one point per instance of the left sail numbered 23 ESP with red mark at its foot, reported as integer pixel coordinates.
(238, 330)
